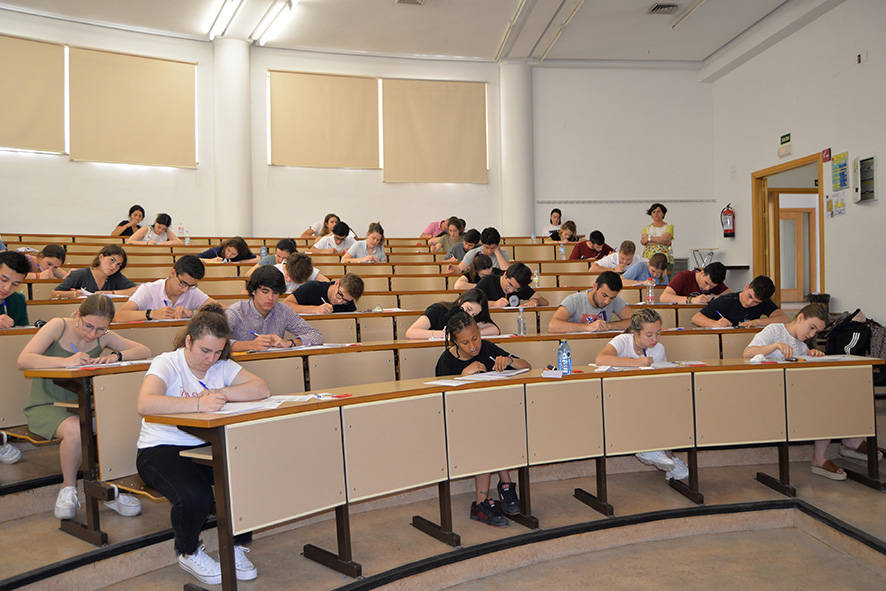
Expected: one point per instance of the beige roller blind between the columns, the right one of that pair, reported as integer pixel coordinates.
(434, 131)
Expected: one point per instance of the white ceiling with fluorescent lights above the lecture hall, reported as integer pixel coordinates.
(453, 29)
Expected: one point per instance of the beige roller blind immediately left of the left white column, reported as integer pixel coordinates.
(132, 109)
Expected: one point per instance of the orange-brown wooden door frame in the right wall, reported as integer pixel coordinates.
(761, 204)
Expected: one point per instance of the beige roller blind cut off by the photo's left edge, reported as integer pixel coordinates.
(32, 95)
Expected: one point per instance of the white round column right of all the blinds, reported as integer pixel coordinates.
(517, 172)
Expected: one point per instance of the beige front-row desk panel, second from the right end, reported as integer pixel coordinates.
(739, 407)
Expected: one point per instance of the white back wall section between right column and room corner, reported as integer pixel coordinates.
(633, 136)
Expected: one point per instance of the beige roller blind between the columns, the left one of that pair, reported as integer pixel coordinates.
(324, 120)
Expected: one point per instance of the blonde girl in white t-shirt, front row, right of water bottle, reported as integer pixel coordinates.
(639, 346)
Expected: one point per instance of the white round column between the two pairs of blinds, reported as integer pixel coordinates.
(233, 153)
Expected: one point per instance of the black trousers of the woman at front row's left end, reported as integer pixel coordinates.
(188, 486)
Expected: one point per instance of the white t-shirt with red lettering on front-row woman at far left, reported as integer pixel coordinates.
(173, 369)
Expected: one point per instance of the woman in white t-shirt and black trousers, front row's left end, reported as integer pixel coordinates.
(199, 376)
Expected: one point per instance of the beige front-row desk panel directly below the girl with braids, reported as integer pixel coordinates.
(478, 445)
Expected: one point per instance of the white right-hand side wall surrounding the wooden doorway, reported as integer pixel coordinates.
(808, 85)
